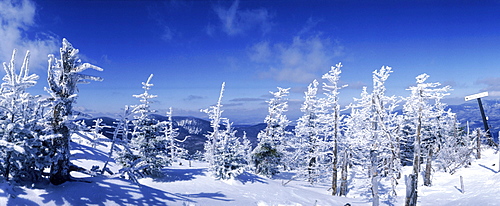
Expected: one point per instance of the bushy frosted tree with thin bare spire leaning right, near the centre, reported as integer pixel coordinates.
(223, 150)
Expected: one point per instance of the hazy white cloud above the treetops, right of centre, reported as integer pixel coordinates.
(301, 61)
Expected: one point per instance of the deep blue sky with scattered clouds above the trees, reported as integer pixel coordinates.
(191, 47)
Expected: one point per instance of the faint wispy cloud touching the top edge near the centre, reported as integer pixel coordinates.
(235, 21)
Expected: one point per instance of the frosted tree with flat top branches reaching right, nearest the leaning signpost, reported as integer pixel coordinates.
(420, 117)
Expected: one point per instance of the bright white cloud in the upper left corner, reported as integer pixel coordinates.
(16, 19)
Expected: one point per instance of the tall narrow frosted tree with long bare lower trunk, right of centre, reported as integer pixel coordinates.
(333, 118)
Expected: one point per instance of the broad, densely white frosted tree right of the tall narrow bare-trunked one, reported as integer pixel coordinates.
(372, 133)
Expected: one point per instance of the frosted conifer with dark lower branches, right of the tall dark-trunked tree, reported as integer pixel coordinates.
(147, 145)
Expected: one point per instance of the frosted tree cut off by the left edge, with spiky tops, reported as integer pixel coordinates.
(23, 155)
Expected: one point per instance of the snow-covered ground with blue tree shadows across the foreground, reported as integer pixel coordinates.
(184, 185)
